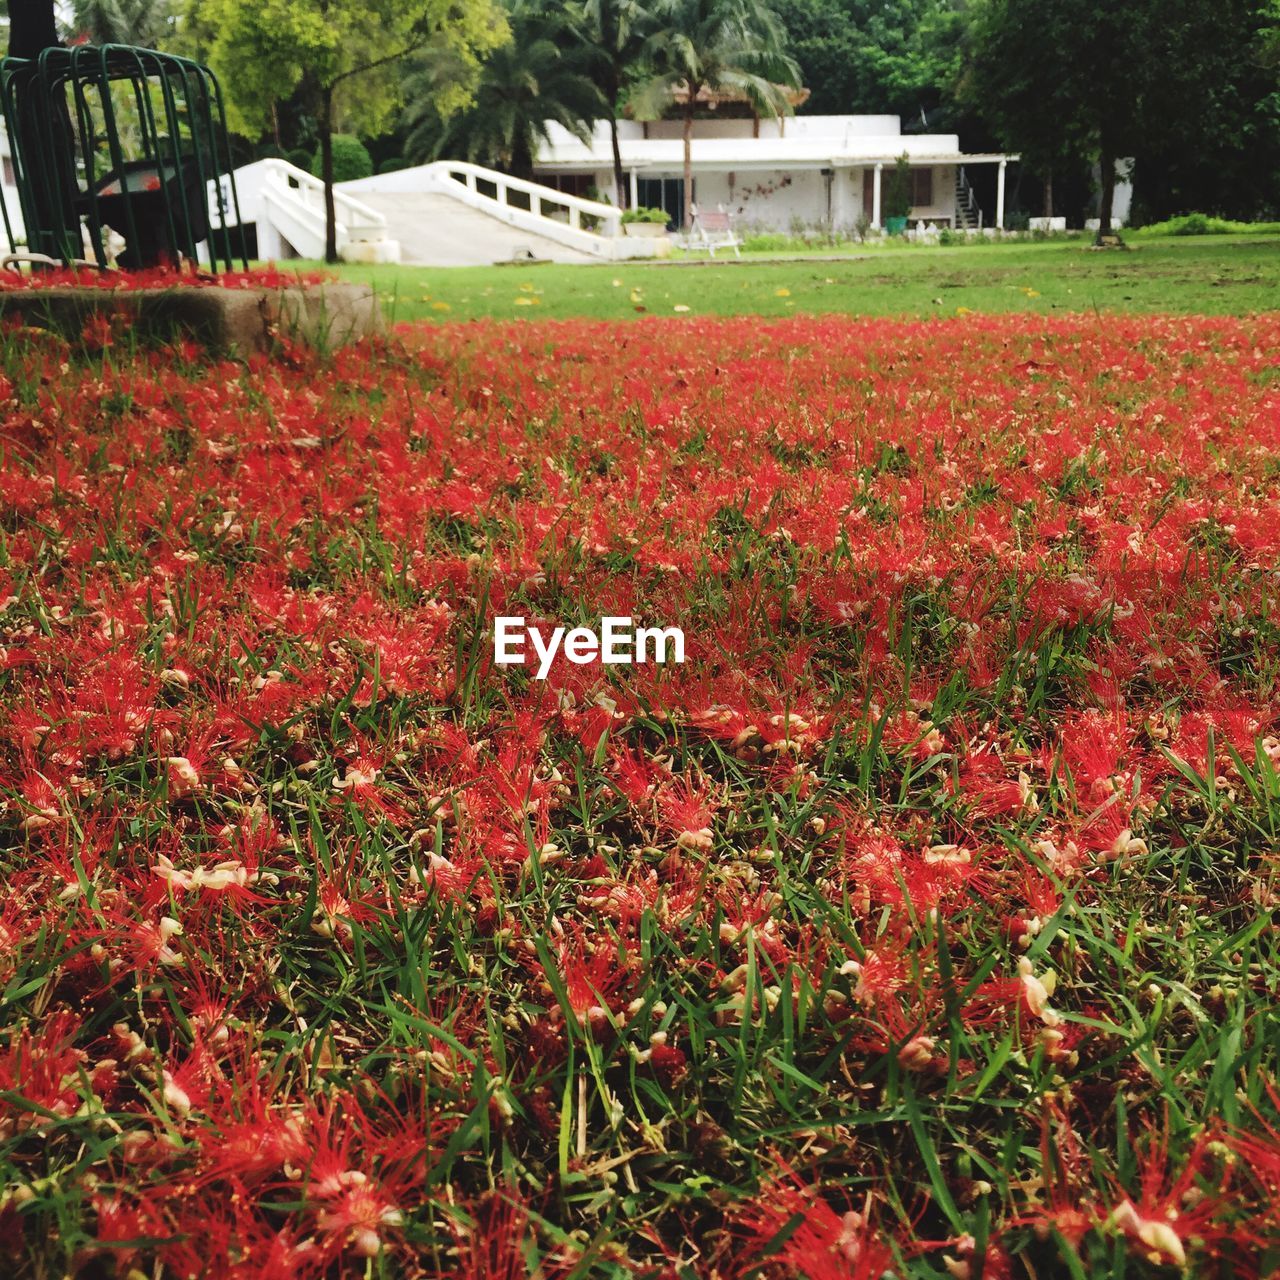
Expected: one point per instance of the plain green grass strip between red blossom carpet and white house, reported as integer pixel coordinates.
(1213, 276)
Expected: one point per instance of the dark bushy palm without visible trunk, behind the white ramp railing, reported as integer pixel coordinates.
(537, 80)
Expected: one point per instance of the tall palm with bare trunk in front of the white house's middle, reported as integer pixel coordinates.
(720, 47)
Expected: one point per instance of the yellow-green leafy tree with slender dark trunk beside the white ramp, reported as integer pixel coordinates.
(264, 51)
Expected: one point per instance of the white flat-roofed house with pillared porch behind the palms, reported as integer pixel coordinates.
(804, 171)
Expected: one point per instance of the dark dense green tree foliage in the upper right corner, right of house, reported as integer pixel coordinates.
(1064, 81)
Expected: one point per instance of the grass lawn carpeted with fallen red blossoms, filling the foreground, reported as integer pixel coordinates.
(921, 922)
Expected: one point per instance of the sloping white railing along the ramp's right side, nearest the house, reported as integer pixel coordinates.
(587, 226)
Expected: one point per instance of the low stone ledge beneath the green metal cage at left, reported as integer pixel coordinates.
(225, 321)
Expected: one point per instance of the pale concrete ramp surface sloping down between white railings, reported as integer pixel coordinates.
(436, 230)
